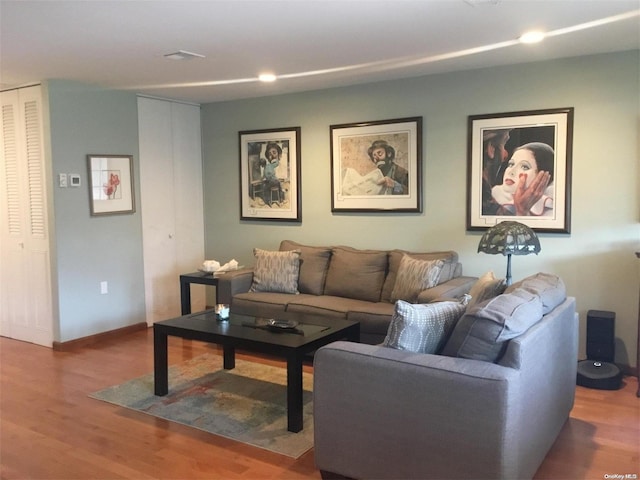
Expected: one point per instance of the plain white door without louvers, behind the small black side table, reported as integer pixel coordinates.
(171, 203)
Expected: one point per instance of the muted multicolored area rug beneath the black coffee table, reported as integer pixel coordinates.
(247, 403)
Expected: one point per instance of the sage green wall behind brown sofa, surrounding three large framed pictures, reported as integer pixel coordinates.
(597, 261)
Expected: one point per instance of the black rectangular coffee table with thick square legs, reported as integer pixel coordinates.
(251, 334)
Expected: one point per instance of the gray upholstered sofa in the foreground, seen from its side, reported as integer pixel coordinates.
(489, 405)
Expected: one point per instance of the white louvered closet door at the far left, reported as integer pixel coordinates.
(25, 280)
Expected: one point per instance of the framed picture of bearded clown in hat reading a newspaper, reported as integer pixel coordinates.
(377, 166)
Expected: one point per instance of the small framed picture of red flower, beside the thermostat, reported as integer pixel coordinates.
(111, 184)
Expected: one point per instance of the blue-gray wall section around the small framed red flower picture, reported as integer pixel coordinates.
(88, 250)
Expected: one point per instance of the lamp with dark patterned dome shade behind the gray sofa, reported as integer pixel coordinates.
(509, 238)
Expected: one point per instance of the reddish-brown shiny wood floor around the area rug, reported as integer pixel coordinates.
(51, 429)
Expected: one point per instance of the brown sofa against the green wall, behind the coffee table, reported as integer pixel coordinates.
(342, 282)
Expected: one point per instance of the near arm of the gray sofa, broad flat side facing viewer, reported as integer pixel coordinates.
(385, 413)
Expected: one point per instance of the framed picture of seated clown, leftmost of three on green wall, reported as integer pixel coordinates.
(270, 174)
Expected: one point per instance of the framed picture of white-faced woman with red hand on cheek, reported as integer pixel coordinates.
(519, 168)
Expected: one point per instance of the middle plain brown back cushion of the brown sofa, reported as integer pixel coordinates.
(356, 273)
